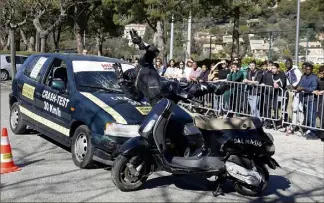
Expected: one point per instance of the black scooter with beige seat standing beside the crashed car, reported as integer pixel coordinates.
(234, 149)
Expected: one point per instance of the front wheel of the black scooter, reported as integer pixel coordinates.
(123, 177)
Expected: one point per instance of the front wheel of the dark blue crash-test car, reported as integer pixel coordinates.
(82, 149)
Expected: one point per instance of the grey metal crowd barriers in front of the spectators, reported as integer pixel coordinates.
(283, 107)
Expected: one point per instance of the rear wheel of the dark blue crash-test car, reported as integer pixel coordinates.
(16, 123)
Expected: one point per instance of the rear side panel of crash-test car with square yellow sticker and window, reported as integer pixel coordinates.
(26, 85)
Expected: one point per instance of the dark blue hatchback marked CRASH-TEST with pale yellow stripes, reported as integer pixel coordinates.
(76, 101)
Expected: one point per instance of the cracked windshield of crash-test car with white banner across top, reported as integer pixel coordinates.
(98, 76)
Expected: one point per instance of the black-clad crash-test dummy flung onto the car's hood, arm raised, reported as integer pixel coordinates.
(144, 81)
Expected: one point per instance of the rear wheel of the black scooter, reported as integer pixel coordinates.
(249, 191)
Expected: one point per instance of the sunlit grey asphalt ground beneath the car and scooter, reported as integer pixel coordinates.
(49, 175)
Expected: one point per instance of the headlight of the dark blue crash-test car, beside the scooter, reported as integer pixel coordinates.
(120, 130)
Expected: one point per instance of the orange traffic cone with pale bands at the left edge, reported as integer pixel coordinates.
(7, 164)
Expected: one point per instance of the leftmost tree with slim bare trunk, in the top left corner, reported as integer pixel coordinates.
(13, 18)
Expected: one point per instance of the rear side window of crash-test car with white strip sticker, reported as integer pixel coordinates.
(33, 68)
